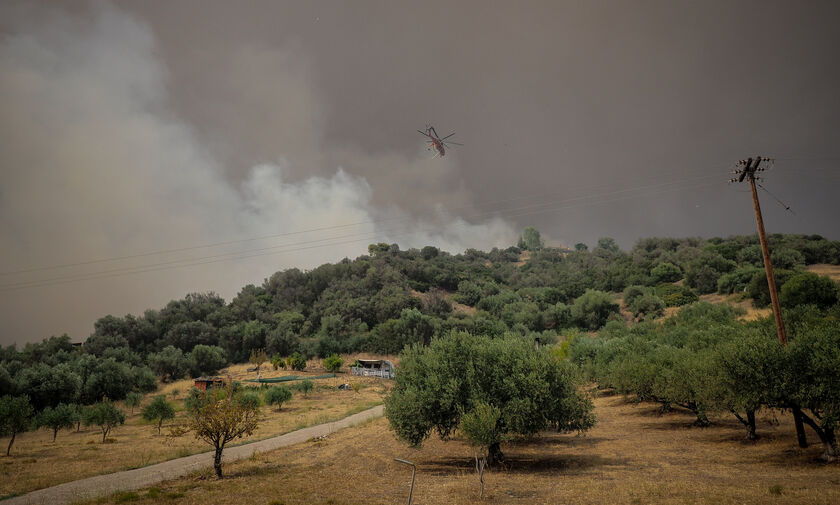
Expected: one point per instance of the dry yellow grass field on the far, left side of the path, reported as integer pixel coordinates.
(37, 462)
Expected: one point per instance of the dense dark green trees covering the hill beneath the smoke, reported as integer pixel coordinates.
(389, 298)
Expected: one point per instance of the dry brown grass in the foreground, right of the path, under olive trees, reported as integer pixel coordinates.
(632, 456)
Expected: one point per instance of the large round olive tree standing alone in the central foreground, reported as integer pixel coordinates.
(438, 385)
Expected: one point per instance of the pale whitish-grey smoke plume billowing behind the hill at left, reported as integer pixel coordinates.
(95, 165)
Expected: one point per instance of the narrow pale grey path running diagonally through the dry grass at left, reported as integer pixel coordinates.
(100, 485)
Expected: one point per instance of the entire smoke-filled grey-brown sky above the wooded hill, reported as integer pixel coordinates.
(134, 132)
